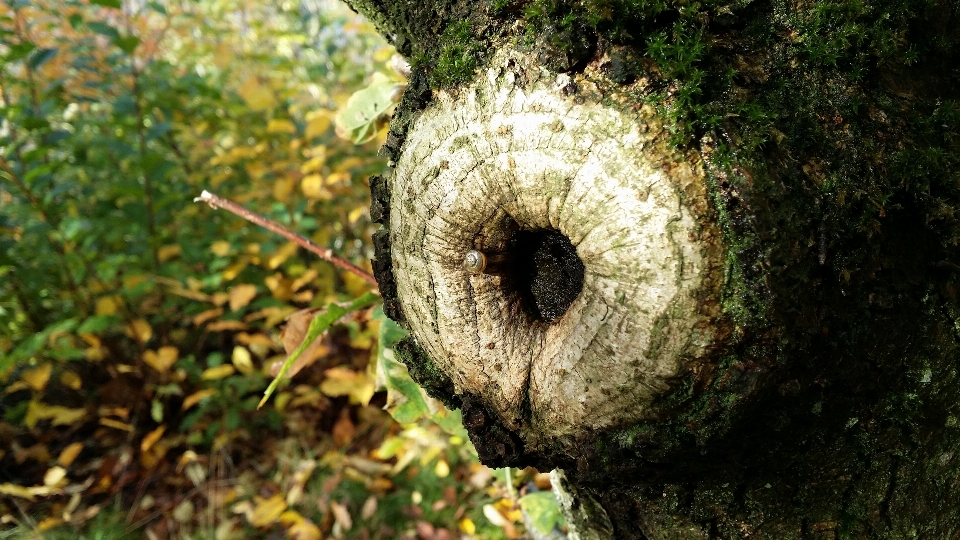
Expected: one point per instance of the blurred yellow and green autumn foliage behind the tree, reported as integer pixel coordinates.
(138, 330)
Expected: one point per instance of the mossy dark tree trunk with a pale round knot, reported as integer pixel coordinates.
(703, 258)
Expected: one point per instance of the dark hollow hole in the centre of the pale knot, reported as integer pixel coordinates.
(546, 271)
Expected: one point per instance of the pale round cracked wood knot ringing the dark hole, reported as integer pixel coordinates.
(510, 160)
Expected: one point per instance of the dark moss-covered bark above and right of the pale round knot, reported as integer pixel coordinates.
(831, 134)
